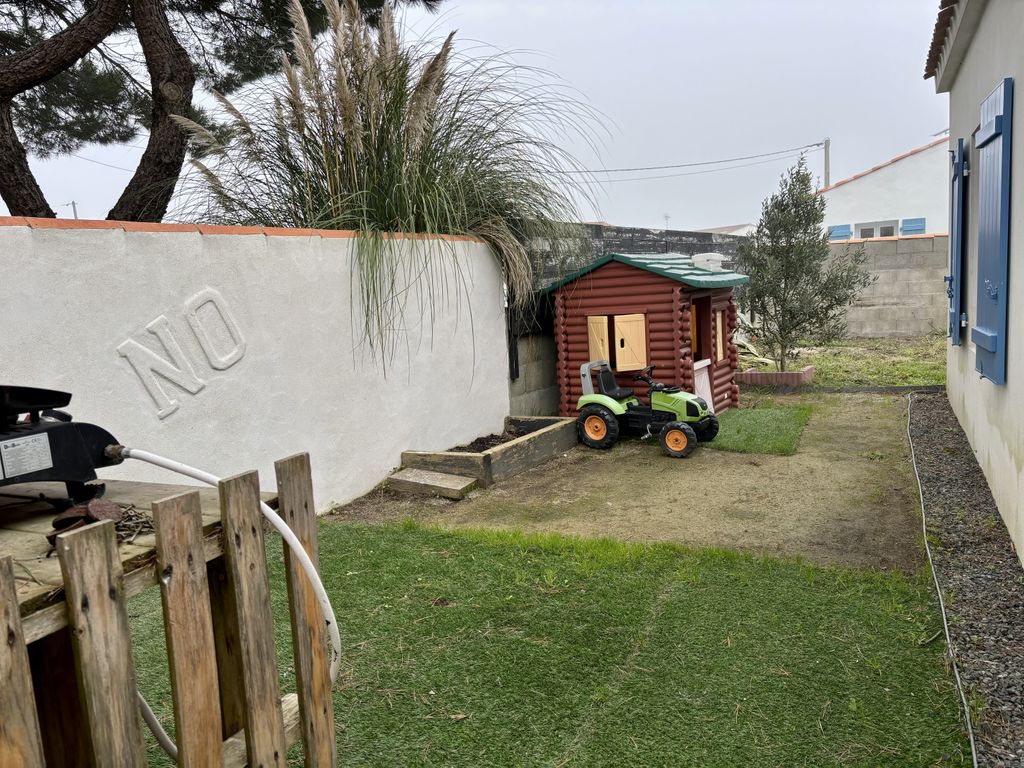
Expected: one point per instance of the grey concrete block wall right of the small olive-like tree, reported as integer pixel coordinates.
(909, 297)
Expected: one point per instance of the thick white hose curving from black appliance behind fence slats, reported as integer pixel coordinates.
(298, 551)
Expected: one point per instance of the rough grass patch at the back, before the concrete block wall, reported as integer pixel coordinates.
(887, 362)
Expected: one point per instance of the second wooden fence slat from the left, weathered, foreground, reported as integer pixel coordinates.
(99, 618)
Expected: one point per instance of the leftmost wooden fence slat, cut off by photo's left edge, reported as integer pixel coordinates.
(21, 744)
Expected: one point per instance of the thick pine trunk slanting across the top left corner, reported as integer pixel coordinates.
(35, 66)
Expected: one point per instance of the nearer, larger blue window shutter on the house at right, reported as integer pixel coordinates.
(995, 143)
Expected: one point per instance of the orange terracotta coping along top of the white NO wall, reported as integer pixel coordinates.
(271, 232)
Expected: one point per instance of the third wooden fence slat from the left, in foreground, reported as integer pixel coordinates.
(189, 629)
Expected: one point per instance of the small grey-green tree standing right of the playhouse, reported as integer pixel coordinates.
(799, 290)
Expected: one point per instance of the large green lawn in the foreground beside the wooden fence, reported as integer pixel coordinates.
(499, 650)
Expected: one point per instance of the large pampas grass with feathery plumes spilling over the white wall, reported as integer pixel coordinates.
(365, 133)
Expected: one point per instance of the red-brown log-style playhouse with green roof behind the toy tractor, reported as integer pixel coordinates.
(645, 310)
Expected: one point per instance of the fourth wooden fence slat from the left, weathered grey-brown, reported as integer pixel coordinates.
(243, 527)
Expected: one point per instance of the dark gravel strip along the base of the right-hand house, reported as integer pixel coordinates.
(982, 577)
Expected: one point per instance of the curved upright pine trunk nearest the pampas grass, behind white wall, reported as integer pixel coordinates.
(173, 78)
